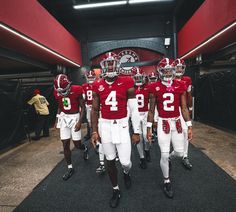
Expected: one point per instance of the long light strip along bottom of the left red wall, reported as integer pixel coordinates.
(37, 44)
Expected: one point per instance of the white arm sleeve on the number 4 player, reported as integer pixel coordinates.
(135, 117)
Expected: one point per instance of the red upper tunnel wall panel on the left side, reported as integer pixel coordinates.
(32, 20)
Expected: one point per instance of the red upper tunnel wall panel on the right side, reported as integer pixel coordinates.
(209, 19)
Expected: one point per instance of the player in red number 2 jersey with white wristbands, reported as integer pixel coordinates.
(169, 95)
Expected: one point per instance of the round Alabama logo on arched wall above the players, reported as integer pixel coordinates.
(128, 56)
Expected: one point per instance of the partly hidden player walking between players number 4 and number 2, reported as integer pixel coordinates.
(142, 96)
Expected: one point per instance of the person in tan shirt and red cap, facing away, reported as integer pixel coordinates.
(41, 107)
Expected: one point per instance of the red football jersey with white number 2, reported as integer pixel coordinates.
(168, 98)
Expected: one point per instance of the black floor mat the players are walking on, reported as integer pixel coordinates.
(205, 188)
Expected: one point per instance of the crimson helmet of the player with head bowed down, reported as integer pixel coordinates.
(62, 84)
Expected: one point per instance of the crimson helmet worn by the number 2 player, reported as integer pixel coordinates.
(166, 70)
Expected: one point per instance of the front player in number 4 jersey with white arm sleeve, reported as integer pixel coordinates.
(111, 96)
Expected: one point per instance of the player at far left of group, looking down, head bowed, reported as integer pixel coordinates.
(71, 108)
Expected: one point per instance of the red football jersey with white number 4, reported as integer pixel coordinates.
(113, 97)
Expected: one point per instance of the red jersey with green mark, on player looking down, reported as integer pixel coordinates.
(70, 103)
